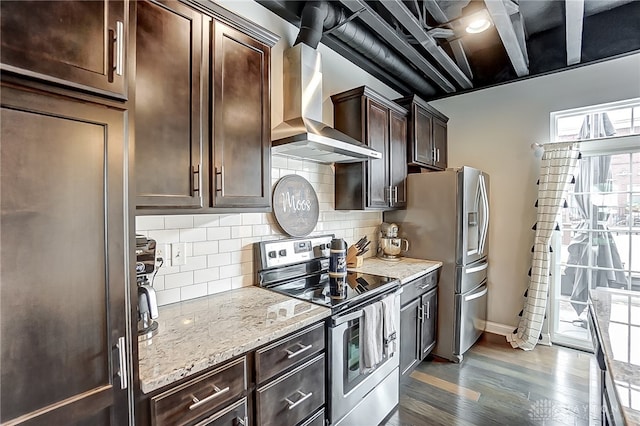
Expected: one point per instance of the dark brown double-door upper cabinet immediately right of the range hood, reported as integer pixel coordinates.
(381, 124)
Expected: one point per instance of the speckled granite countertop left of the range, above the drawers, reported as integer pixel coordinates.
(200, 333)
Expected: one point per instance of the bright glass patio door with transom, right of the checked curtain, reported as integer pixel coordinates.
(599, 240)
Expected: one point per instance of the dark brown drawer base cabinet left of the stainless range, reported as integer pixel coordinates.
(282, 383)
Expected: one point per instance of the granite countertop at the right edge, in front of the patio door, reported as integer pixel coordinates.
(617, 318)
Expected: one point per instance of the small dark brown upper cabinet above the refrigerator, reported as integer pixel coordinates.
(427, 136)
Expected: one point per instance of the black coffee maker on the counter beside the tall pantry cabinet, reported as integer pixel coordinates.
(145, 272)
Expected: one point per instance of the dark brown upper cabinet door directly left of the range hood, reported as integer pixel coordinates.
(241, 145)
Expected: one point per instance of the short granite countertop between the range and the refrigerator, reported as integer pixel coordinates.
(405, 269)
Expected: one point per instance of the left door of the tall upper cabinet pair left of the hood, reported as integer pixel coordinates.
(170, 111)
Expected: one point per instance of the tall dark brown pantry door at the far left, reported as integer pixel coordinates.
(63, 276)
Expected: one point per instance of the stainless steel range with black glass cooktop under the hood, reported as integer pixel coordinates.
(357, 395)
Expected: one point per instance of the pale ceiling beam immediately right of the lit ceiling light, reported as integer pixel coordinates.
(502, 20)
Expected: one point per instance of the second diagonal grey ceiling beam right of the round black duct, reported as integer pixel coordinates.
(409, 21)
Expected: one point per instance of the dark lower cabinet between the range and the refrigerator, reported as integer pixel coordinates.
(419, 307)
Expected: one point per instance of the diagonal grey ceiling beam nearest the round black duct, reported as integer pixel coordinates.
(377, 24)
